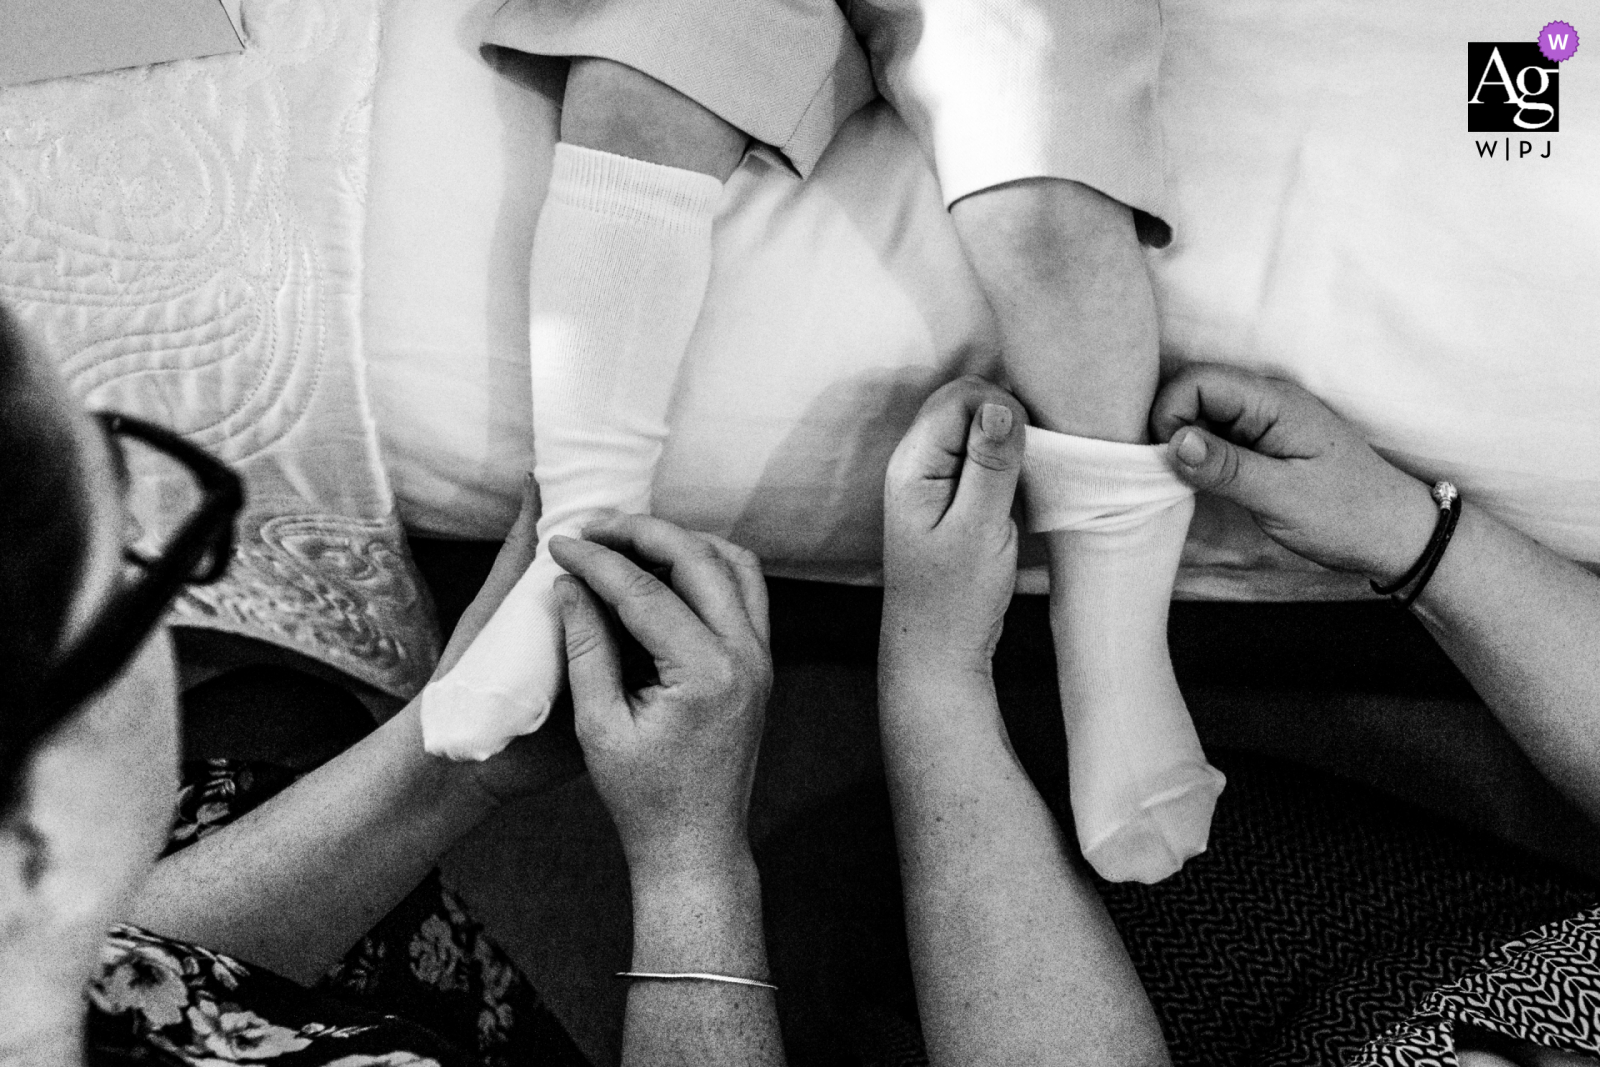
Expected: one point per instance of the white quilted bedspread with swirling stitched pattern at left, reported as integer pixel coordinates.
(186, 242)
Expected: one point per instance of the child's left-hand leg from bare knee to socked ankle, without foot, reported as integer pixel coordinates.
(622, 258)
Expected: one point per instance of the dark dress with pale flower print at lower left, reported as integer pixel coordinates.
(425, 988)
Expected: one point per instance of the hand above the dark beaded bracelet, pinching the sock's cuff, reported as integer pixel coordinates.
(1303, 473)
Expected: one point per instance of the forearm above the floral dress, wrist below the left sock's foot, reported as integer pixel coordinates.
(297, 882)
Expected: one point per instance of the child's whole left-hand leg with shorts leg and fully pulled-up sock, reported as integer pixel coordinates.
(620, 266)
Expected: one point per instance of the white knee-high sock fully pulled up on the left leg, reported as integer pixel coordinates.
(622, 260)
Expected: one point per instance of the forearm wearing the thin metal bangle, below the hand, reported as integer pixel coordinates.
(700, 919)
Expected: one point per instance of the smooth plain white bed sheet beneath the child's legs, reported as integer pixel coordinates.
(1334, 220)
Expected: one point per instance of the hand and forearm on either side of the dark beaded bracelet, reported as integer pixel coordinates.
(1518, 620)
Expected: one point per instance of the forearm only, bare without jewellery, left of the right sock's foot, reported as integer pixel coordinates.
(1015, 957)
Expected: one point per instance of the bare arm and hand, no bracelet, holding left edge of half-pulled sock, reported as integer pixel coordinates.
(1015, 959)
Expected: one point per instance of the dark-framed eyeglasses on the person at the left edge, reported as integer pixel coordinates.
(185, 538)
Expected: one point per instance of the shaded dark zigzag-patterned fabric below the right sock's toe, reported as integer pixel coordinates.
(1321, 916)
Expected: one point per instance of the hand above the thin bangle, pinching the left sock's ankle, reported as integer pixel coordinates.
(674, 761)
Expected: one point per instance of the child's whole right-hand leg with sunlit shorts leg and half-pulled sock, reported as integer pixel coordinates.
(1041, 122)
